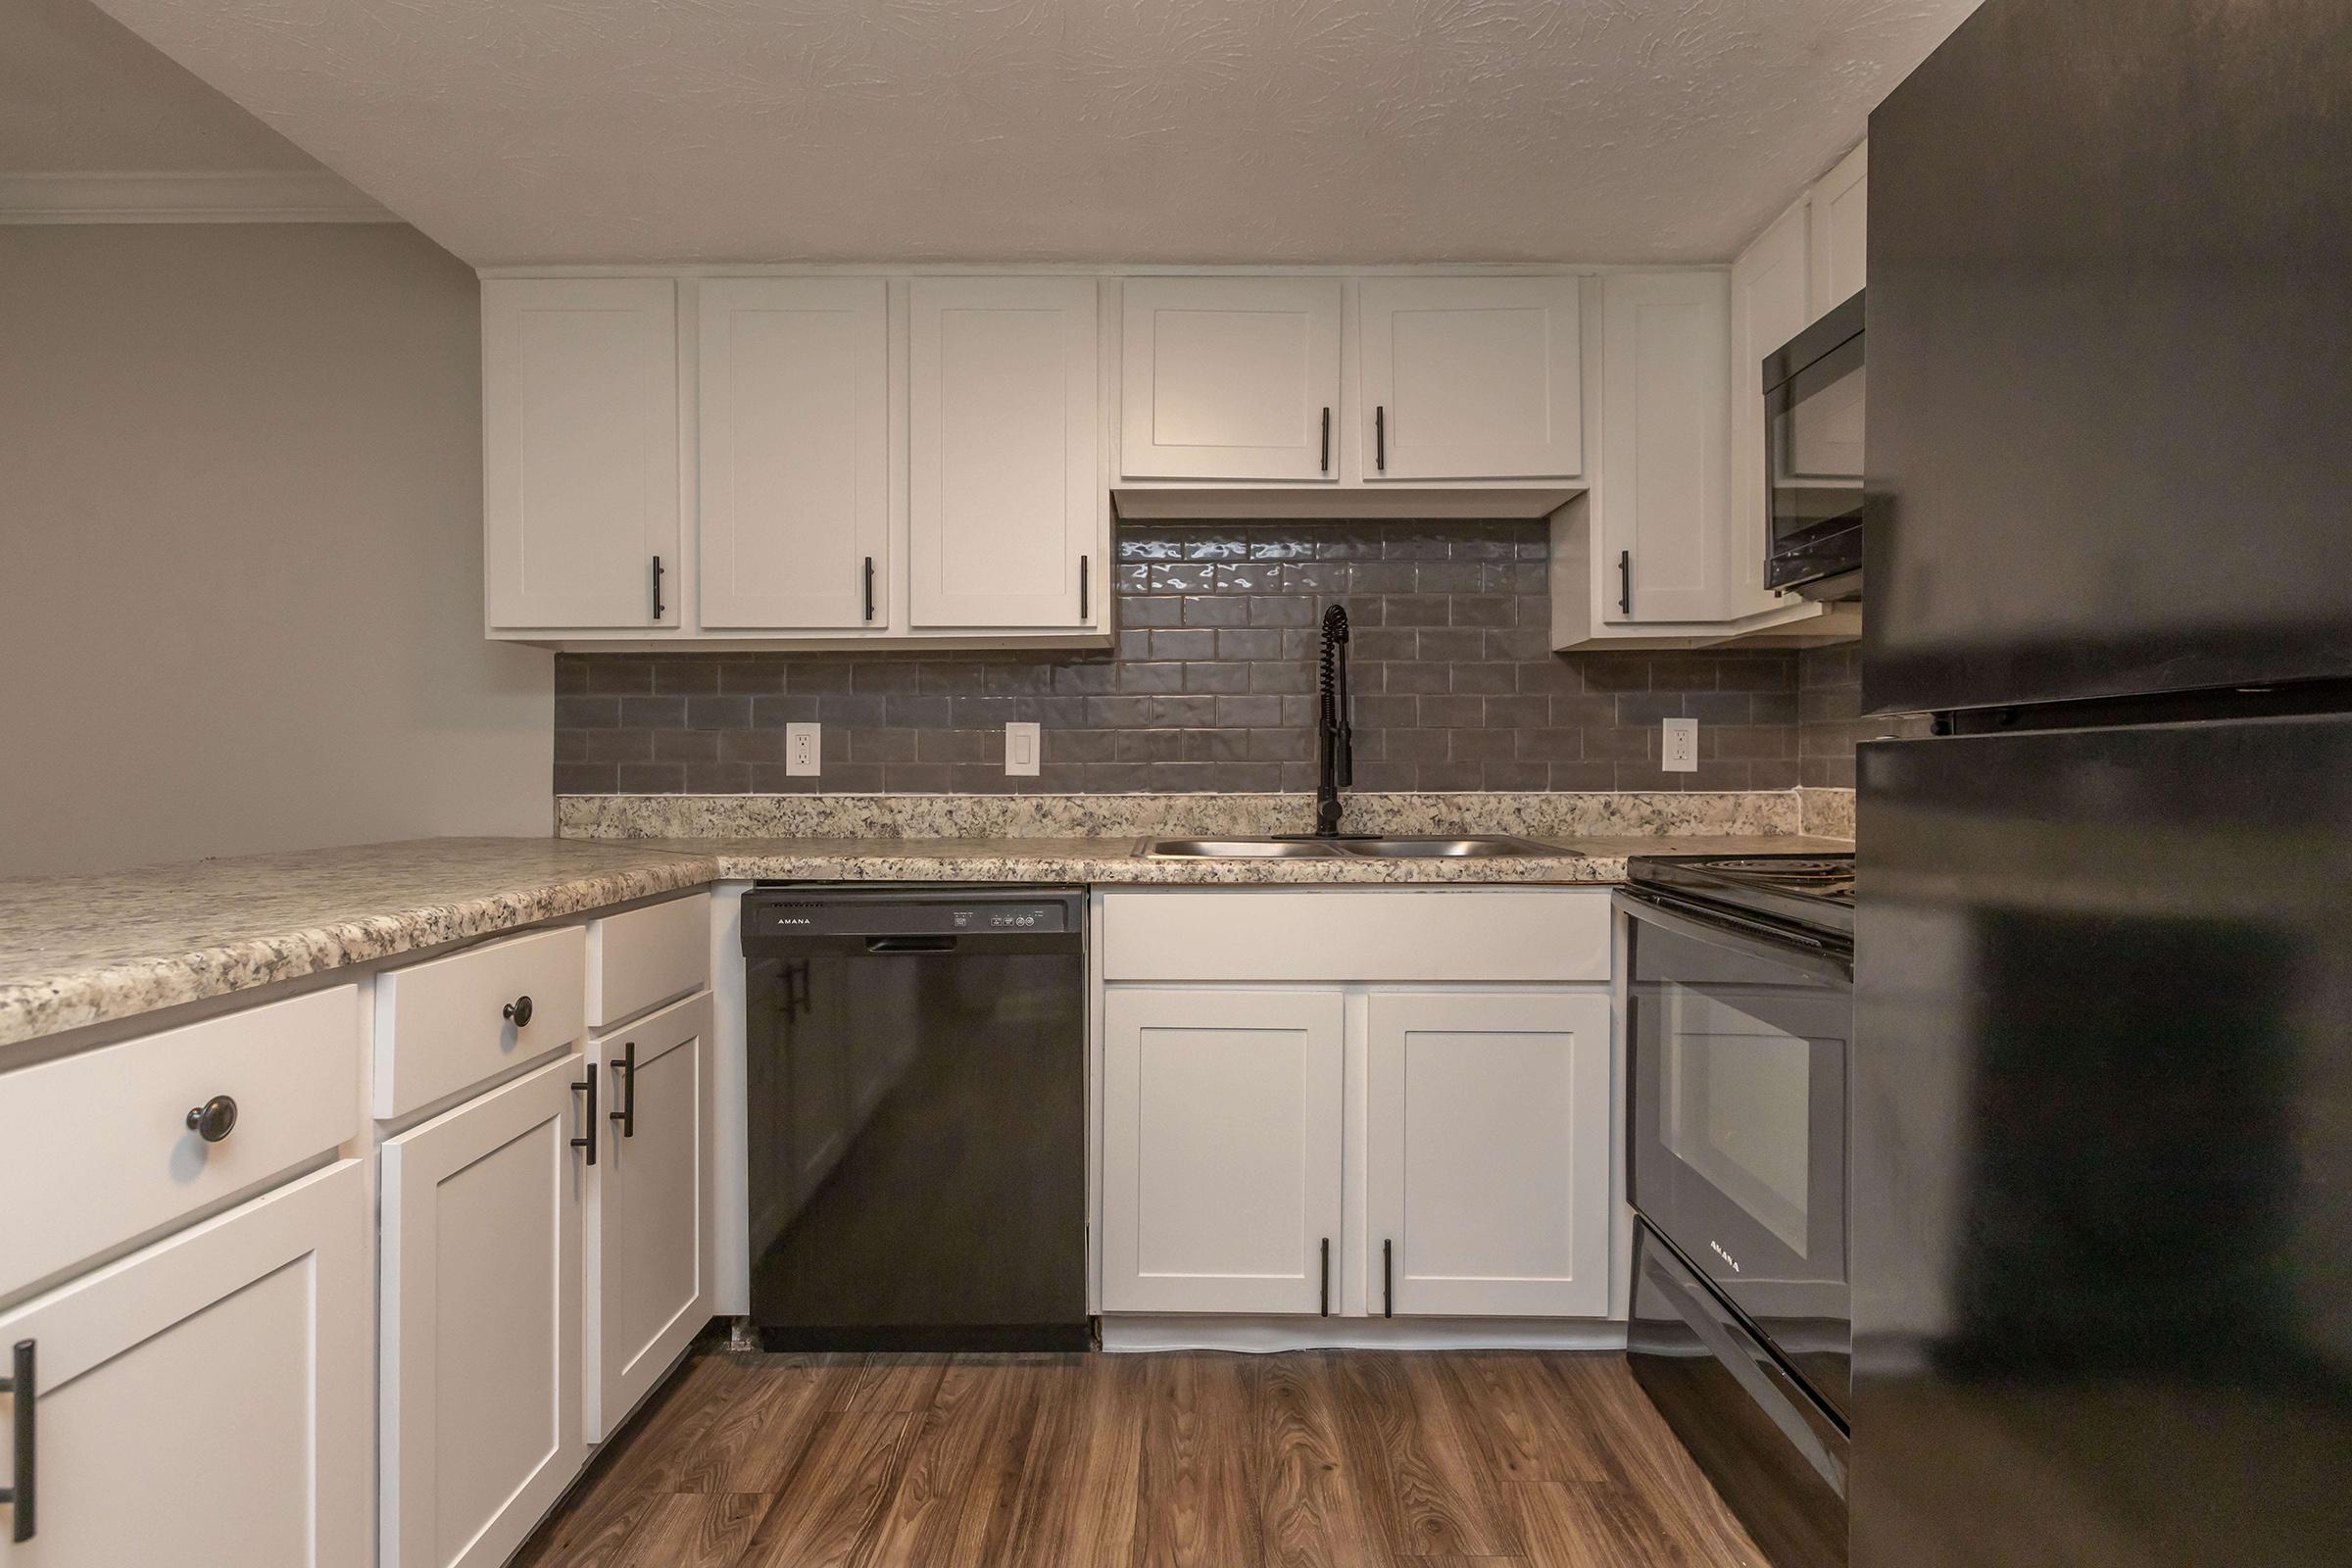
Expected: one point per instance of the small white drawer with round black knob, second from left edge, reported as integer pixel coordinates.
(446, 1026)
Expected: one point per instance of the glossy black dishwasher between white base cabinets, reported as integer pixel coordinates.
(916, 1115)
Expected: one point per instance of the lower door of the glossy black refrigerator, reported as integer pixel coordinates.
(2104, 1148)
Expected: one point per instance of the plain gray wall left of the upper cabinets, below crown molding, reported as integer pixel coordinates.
(241, 502)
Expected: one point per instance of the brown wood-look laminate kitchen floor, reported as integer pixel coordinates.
(1172, 1461)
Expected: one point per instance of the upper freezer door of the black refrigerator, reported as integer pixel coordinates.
(2111, 356)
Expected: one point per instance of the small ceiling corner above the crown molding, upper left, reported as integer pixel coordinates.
(83, 95)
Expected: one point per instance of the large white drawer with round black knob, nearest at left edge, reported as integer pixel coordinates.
(98, 1148)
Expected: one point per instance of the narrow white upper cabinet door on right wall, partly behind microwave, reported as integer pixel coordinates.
(1770, 288)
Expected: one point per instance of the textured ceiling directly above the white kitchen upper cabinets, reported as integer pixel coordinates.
(1064, 130)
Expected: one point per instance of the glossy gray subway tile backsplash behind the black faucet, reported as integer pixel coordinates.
(1212, 688)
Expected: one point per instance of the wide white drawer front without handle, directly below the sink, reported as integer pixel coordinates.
(1377, 934)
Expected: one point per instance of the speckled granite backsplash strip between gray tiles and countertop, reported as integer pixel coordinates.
(1017, 817)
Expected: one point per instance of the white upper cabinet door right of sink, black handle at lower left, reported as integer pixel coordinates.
(1666, 417)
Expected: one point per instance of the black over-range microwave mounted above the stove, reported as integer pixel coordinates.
(1815, 460)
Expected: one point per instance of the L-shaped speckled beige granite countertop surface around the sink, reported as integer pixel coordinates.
(83, 951)
